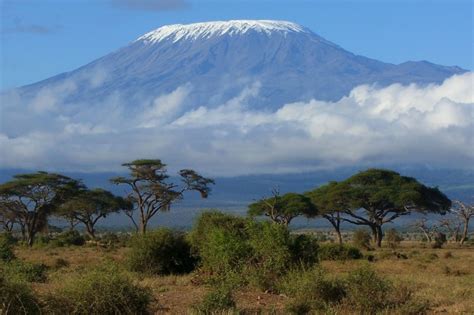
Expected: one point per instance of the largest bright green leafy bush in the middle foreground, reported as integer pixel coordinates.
(260, 252)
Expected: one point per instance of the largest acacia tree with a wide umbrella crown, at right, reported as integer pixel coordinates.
(380, 196)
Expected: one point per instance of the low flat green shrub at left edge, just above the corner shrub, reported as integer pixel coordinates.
(23, 271)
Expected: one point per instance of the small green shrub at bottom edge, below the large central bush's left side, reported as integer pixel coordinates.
(219, 299)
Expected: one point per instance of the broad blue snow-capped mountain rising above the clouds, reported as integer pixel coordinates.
(218, 59)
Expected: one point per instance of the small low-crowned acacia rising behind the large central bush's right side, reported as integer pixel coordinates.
(283, 209)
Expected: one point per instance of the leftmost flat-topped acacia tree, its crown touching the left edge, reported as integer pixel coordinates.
(34, 197)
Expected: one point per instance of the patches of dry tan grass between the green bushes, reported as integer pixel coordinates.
(444, 277)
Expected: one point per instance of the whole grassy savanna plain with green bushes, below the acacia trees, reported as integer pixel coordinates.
(233, 265)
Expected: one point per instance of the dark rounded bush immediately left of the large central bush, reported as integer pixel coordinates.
(162, 251)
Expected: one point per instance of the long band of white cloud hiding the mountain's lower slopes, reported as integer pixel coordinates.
(397, 124)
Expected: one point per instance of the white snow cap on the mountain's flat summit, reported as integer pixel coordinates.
(205, 30)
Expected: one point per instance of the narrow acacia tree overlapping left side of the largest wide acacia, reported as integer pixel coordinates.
(331, 200)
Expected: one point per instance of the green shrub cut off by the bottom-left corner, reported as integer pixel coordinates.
(17, 298)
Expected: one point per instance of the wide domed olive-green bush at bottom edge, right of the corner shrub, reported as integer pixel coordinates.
(103, 290)
